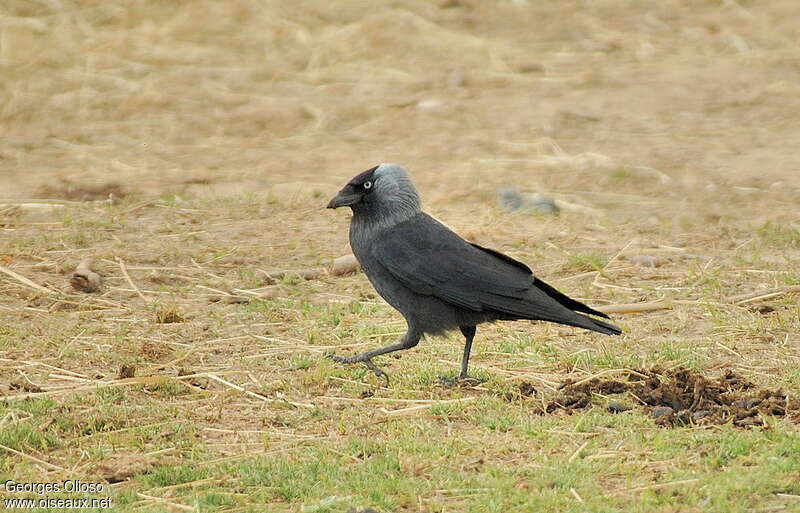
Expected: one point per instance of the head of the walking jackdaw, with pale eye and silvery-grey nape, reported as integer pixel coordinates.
(386, 189)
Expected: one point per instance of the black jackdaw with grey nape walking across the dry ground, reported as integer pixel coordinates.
(436, 279)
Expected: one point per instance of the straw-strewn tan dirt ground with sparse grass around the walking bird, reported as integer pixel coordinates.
(189, 149)
